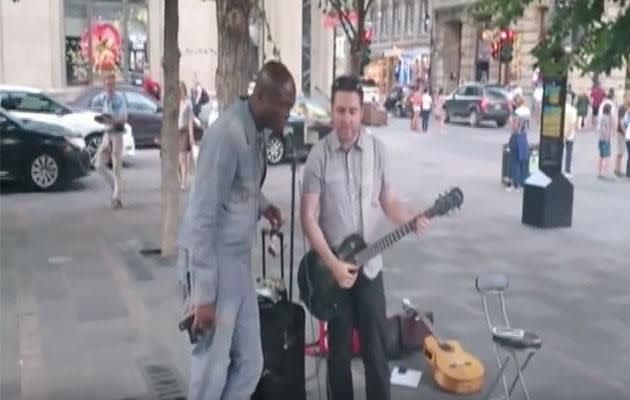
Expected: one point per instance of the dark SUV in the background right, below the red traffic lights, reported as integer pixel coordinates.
(477, 102)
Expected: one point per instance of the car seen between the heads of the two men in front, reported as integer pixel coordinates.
(298, 136)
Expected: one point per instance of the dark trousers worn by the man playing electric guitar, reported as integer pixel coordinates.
(363, 308)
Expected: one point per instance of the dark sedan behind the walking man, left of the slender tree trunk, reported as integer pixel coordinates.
(144, 113)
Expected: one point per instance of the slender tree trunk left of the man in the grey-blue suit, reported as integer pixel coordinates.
(170, 137)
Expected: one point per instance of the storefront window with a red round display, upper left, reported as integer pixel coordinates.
(97, 33)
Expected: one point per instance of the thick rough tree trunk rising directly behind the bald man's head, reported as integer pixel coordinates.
(232, 76)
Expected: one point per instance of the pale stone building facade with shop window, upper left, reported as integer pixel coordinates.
(56, 56)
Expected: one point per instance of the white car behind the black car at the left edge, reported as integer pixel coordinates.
(32, 104)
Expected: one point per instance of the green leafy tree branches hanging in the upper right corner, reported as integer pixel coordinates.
(590, 40)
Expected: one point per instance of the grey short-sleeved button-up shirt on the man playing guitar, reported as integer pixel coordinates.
(336, 174)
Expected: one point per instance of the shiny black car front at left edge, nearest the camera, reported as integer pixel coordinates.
(44, 156)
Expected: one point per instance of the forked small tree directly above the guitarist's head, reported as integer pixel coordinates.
(351, 15)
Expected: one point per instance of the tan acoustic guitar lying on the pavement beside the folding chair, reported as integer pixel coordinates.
(454, 369)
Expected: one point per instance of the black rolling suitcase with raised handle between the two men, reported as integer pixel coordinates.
(282, 325)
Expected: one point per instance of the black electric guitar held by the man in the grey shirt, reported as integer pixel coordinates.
(318, 288)
